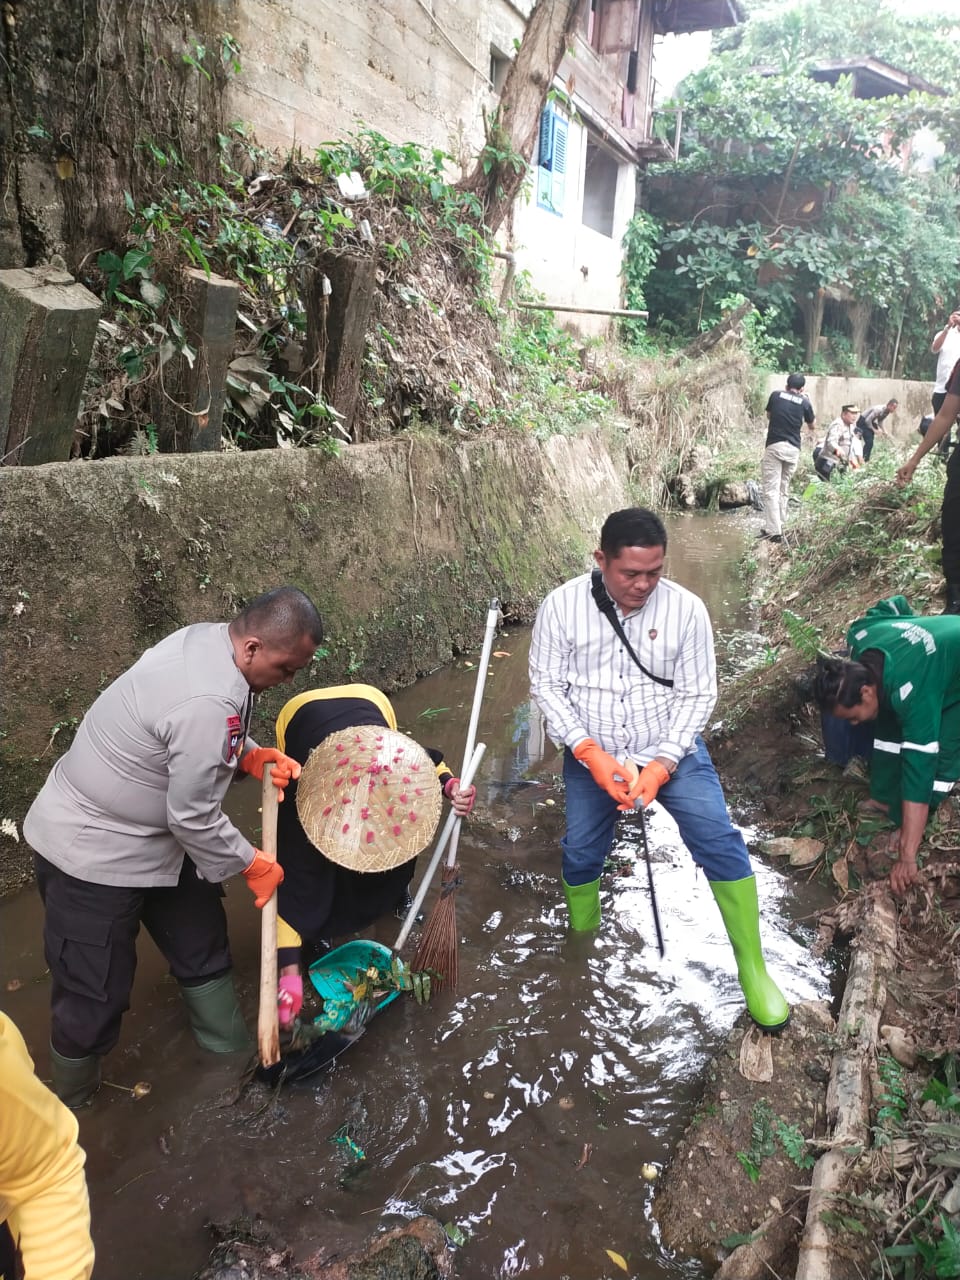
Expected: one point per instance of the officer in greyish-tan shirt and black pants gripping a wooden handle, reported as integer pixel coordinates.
(129, 830)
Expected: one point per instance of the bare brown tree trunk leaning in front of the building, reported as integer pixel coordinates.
(511, 132)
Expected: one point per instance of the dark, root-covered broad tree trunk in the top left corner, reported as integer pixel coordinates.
(84, 89)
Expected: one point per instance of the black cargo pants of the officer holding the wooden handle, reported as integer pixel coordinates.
(90, 943)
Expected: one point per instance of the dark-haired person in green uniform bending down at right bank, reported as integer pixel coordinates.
(904, 675)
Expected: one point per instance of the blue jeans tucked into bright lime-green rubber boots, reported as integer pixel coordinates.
(693, 798)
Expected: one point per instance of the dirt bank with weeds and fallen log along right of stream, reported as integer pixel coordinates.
(843, 1163)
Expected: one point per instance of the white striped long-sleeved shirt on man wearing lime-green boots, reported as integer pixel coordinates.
(588, 685)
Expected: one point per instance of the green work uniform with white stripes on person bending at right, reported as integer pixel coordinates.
(917, 743)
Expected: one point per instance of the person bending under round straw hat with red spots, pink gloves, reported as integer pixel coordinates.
(349, 842)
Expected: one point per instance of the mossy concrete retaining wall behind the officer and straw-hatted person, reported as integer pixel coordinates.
(401, 545)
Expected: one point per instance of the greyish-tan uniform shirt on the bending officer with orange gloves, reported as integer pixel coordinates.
(148, 771)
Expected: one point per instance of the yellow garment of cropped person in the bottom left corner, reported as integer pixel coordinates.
(43, 1188)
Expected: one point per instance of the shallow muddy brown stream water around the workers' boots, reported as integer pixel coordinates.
(519, 1110)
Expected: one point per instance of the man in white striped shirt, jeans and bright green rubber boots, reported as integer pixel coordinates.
(607, 707)
